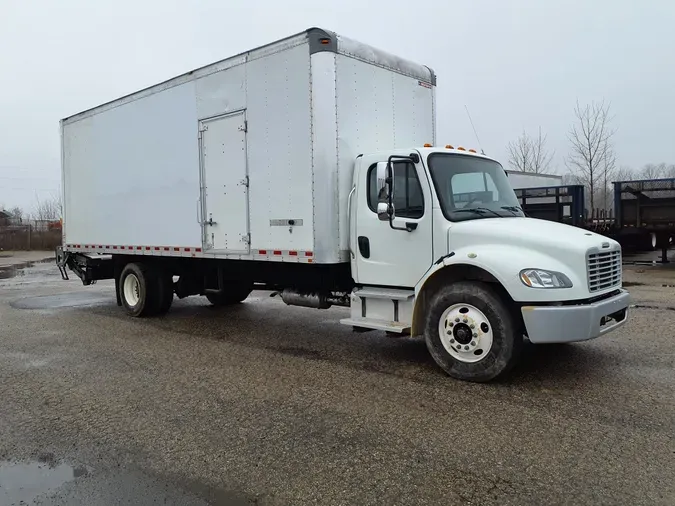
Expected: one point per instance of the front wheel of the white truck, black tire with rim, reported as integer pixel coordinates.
(488, 349)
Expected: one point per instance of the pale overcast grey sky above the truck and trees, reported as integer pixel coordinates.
(516, 65)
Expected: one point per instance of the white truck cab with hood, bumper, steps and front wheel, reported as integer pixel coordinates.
(441, 248)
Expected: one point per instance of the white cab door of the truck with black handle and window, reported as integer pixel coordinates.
(385, 256)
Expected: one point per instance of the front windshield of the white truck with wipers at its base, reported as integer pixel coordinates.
(470, 188)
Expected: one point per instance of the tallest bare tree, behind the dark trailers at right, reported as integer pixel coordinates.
(592, 156)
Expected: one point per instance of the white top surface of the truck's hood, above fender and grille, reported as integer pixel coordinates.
(527, 232)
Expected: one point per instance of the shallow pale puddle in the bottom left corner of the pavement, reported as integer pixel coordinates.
(22, 483)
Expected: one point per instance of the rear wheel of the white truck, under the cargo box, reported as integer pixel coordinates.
(138, 290)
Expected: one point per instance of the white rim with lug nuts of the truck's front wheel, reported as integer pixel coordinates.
(466, 333)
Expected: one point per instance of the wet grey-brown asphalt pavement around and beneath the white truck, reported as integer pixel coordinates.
(266, 404)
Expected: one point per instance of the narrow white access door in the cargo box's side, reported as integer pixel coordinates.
(224, 176)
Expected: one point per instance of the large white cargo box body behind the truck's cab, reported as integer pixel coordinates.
(247, 158)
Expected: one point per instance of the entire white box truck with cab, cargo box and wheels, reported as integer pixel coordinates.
(309, 167)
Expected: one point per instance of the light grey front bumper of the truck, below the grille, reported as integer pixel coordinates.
(567, 324)
